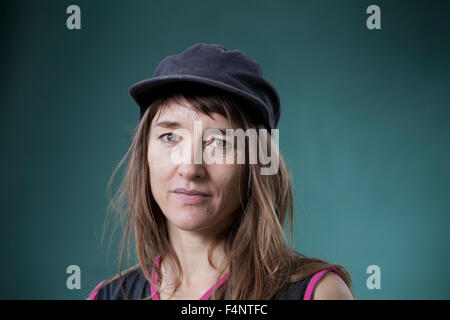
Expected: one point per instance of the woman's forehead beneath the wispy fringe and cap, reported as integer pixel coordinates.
(186, 113)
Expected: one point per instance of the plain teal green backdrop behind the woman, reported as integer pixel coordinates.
(364, 129)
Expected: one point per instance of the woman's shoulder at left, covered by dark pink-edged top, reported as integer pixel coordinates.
(132, 281)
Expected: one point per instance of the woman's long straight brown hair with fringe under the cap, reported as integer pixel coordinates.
(260, 259)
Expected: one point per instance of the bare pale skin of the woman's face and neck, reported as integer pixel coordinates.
(192, 227)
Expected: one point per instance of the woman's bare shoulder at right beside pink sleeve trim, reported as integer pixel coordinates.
(328, 285)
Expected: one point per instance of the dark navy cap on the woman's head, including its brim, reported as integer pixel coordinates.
(214, 66)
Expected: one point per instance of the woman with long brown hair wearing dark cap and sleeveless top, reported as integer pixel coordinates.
(210, 230)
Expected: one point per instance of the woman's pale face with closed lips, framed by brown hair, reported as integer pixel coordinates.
(213, 211)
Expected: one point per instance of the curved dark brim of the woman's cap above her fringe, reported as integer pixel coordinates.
(146, 91)
